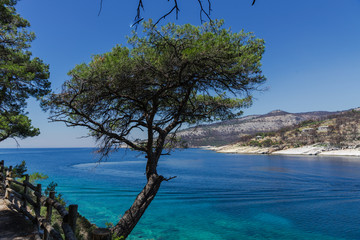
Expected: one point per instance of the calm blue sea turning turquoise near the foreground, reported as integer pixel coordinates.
(215, 196)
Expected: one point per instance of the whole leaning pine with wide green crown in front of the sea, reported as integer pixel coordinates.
(170, 77)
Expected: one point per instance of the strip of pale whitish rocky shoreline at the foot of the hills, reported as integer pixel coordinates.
(314, 150)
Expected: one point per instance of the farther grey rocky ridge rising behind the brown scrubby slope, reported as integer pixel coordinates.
(232, 131)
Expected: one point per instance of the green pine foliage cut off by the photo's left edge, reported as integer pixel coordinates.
(20, 76)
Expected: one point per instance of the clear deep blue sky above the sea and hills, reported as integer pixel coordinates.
(312, 58)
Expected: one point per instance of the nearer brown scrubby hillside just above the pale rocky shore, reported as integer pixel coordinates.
(340, 130)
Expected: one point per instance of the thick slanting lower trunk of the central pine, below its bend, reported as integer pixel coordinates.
(142, 201)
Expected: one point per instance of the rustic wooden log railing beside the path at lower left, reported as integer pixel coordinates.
(32, 195)
